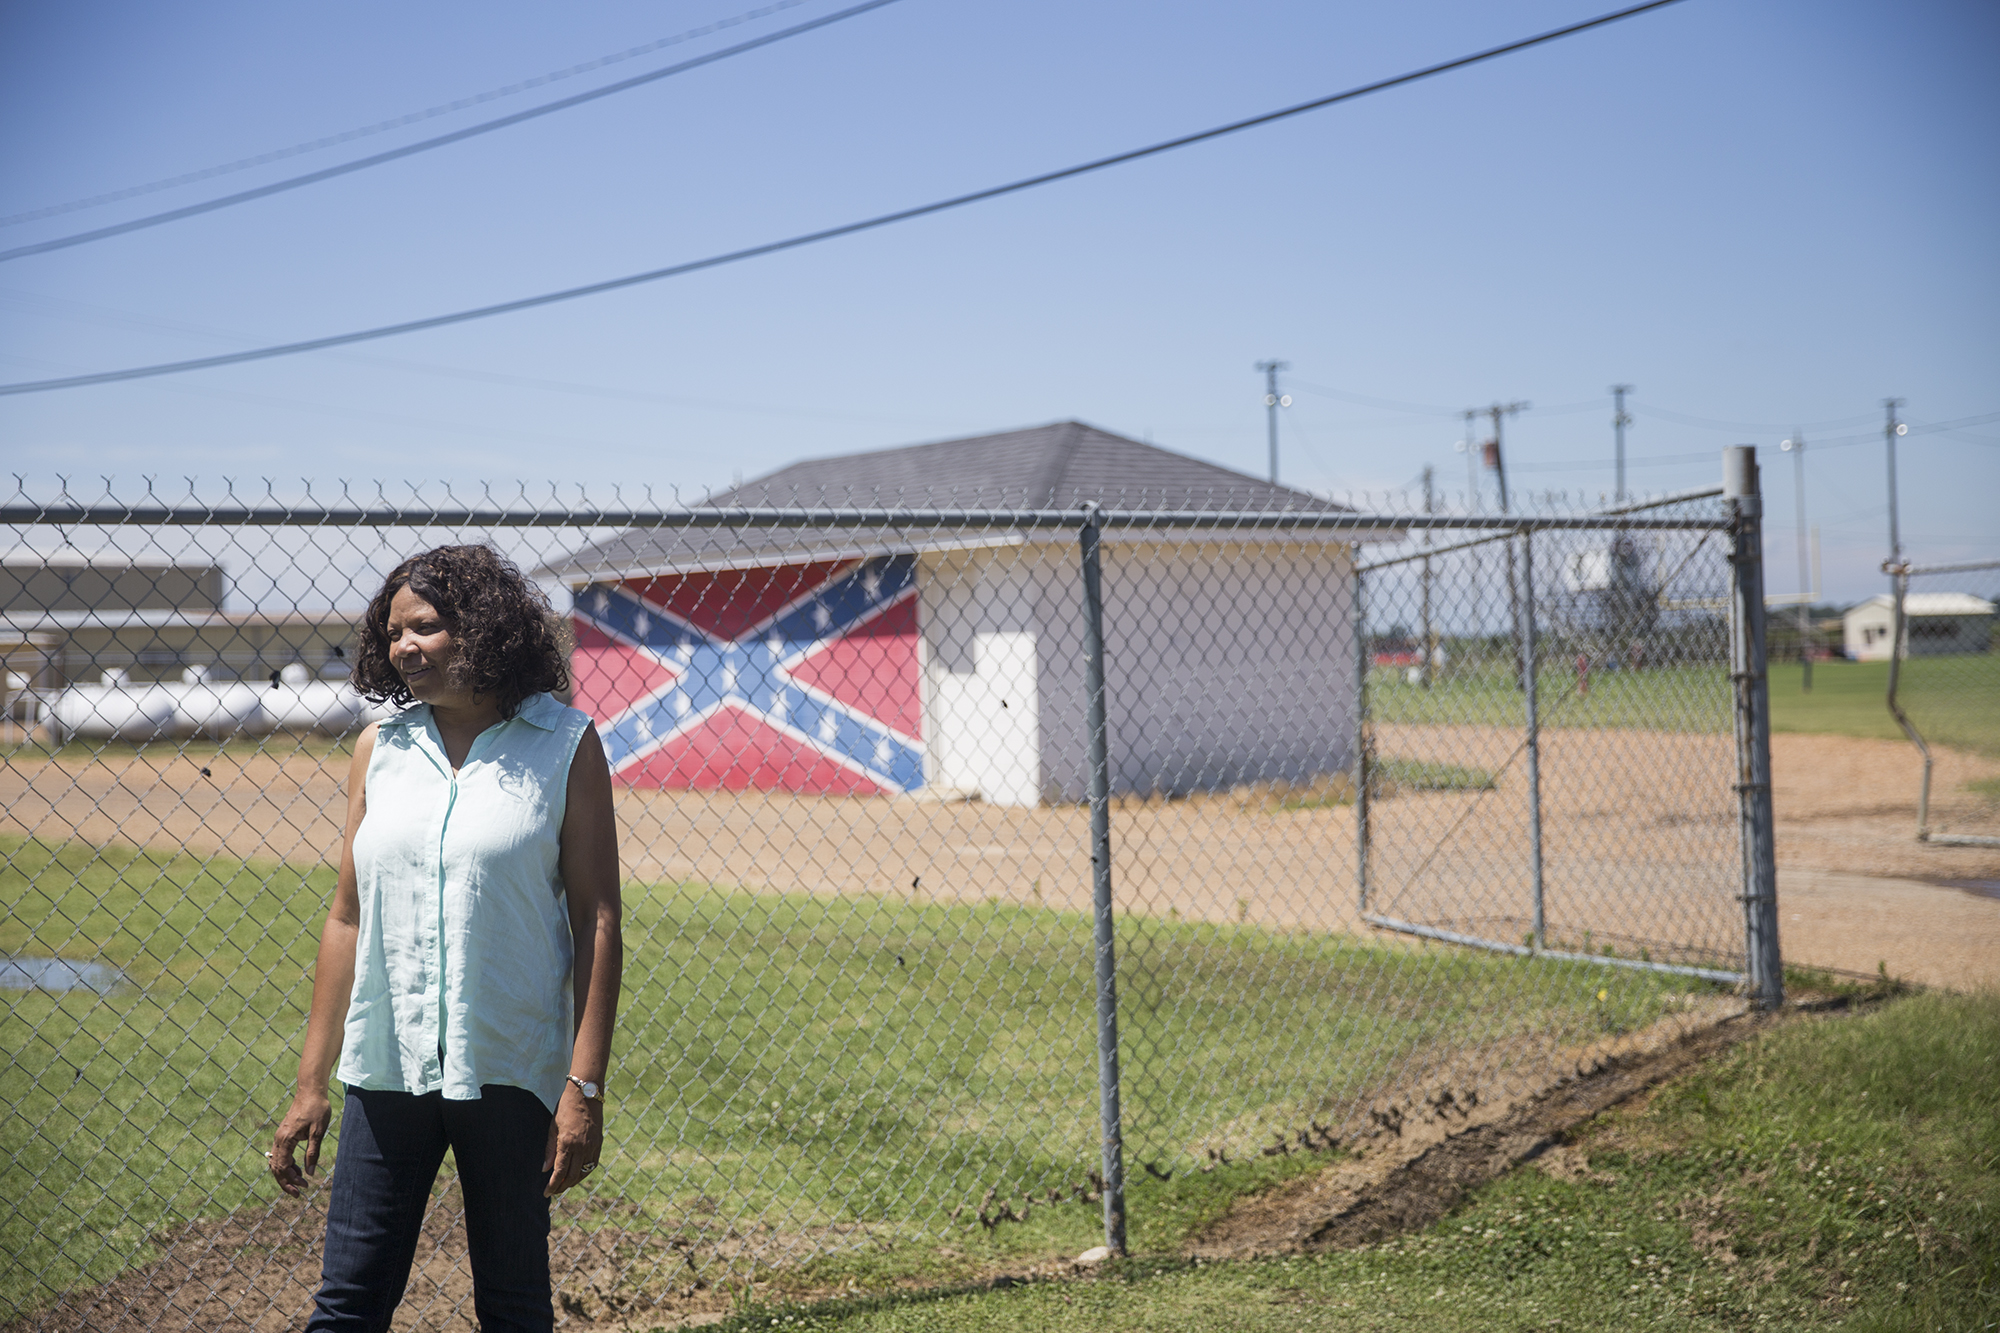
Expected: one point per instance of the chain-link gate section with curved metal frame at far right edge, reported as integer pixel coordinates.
(1945, 686)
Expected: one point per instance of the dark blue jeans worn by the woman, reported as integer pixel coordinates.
(391, 1150)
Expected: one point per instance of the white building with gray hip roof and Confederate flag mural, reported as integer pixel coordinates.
(947, 659)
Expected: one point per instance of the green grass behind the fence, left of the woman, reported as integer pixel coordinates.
(145, 1106)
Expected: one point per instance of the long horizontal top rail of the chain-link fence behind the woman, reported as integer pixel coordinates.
(719, 517)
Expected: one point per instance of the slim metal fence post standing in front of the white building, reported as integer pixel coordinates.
(1101, 880)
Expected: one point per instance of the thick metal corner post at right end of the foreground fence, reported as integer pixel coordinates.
(1753, 728)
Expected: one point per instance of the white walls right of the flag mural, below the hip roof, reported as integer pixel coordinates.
(1225, 663)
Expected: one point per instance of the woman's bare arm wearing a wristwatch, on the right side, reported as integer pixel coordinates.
(589, 864)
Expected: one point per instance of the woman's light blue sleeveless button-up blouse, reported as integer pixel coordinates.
(465, 932)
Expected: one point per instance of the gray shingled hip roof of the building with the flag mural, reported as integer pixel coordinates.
(1061, 465)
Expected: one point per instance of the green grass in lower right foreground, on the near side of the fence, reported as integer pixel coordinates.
(1837, 1174)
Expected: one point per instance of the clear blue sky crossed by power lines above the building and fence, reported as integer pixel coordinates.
(1759, 213)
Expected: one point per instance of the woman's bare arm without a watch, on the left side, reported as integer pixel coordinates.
(333, 986)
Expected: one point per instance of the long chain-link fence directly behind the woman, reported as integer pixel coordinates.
(973, 856)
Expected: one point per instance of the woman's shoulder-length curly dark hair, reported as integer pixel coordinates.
(507, 635)
